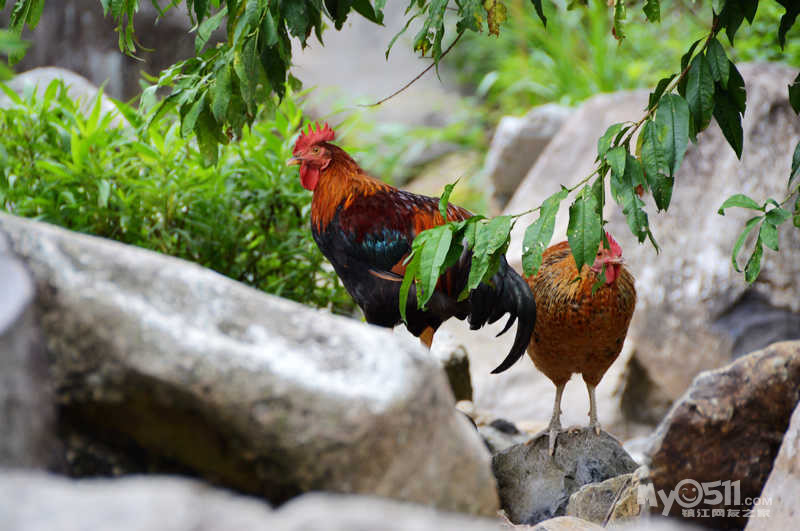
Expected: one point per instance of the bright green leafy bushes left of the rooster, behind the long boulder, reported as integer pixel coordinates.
(246, 217)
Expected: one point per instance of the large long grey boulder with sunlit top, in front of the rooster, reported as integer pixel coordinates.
(184, 366)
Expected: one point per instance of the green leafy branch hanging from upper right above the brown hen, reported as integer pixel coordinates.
(707, 85)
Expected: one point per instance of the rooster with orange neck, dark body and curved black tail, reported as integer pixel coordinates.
(365, 228)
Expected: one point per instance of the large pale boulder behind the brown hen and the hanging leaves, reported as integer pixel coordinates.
(688, 292)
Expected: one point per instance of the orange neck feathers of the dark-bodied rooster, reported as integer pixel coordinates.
(339, 184)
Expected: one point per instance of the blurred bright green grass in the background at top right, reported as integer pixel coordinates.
(573, 58)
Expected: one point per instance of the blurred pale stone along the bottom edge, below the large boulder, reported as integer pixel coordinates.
(40, 502)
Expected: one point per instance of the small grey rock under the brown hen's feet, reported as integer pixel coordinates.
(534, 486)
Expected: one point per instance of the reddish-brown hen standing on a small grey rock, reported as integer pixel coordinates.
(578, 331)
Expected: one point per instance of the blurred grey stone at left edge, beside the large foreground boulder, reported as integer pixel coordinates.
(26, 407)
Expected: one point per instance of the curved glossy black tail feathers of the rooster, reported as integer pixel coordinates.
(507, 294)
